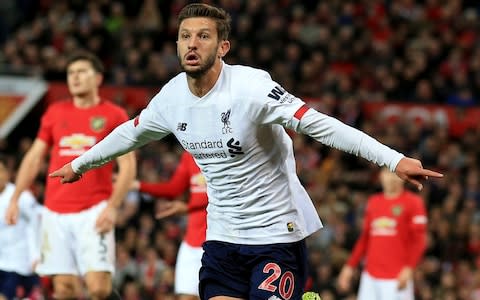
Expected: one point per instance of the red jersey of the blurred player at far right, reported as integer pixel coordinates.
(393, 235)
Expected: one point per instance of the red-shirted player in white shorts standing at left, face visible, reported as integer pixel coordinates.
(78, 222)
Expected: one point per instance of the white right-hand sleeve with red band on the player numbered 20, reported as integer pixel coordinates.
(272, 104)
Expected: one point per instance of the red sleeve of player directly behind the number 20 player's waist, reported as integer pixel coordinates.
(172, 188)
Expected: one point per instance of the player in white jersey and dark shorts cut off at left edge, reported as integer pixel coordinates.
(19, 244)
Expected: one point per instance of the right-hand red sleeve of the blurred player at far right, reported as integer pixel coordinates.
(417, 231)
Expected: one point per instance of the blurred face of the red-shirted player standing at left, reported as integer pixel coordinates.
(82, 78)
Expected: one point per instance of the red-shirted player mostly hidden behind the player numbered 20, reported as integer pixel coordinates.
(186, 176)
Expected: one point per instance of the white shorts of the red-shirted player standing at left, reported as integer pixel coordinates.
(71, 245)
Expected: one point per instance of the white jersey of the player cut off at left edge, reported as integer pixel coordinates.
(19, 243)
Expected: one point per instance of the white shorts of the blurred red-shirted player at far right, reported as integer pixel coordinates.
(380, 289)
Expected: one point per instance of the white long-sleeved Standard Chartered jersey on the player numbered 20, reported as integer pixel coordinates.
(236, 135)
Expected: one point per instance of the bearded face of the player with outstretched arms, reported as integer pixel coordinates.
(198, 47)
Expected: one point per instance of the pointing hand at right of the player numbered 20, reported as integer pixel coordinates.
(412, 171)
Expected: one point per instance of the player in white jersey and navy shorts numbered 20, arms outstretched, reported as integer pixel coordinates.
(232, 120)
